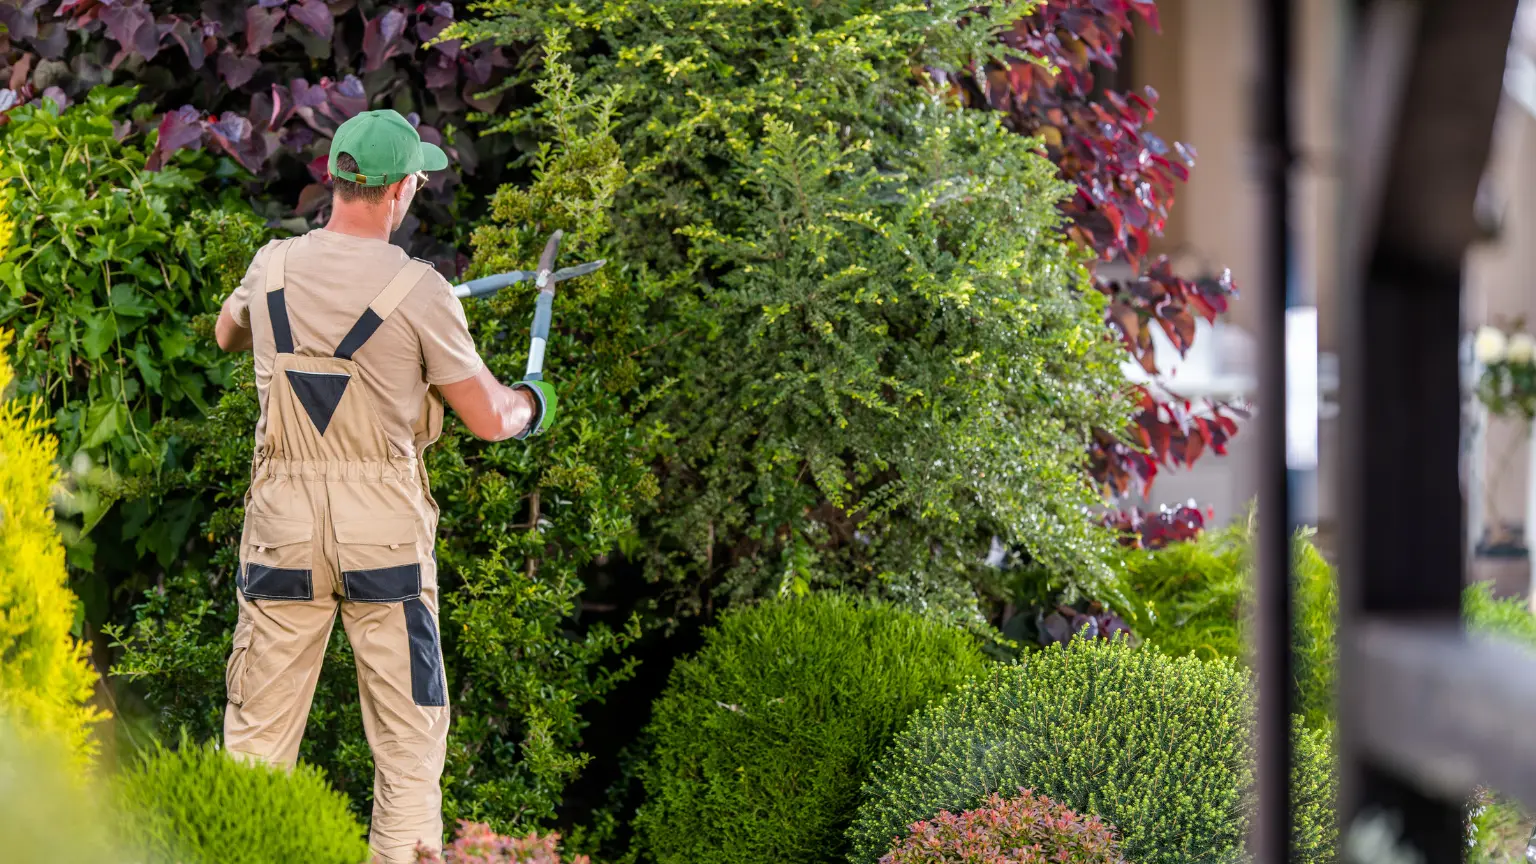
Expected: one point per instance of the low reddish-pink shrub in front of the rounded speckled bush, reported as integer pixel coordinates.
(1030, 829)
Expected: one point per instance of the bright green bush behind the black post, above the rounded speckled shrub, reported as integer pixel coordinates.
(1197, 599)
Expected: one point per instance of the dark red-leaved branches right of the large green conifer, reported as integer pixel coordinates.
(1127, 179)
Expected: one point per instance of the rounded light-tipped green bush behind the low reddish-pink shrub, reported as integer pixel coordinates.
(1157, 746)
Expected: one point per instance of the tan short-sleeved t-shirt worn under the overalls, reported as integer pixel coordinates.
(329, 282)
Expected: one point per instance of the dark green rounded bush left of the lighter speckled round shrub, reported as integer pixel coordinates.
(763, 740)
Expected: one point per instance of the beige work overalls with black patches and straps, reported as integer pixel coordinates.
(337, 523)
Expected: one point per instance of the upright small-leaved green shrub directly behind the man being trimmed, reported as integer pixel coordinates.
(520, 523)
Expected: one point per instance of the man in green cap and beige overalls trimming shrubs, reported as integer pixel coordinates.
(354, 344)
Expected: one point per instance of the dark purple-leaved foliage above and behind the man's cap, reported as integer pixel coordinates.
(266, 84)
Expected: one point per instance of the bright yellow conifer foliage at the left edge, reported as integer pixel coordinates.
(45, 676)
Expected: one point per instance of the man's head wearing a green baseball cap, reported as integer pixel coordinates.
(377, 165)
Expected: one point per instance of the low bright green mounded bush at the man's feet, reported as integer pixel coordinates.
(200, 806)
